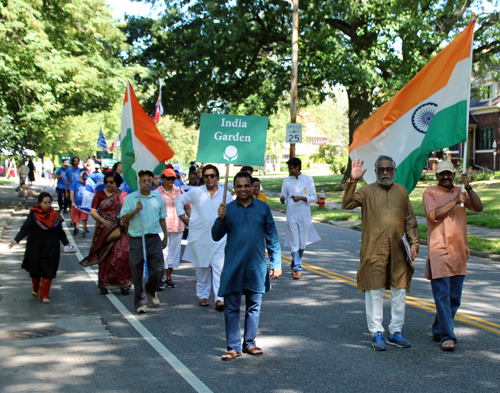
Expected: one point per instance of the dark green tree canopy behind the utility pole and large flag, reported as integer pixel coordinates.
(227, 55)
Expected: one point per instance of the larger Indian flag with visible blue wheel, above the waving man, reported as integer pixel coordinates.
(428, 114)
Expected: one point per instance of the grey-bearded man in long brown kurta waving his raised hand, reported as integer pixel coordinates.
(386, 214)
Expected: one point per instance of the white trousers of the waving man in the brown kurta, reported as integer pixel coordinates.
(374, 302)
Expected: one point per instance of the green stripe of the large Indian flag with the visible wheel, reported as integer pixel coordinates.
(448, 128)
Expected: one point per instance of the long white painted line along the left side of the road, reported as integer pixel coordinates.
(177, 365)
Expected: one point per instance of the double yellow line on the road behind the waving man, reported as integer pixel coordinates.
(422, 304)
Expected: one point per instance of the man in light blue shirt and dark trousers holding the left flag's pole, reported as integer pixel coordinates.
(153, 214)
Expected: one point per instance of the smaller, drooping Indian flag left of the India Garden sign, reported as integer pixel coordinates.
(142, 145)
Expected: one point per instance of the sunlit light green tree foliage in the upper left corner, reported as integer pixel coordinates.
(57, 58)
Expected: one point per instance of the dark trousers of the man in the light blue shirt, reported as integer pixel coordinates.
(154, 256)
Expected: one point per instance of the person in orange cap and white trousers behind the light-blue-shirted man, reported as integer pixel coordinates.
(169, 192)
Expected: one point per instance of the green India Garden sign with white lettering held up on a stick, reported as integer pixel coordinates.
(232, 139)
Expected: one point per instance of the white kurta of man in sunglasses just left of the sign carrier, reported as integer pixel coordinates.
(201, 248)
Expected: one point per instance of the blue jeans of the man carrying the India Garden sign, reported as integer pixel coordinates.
(232, 303)
